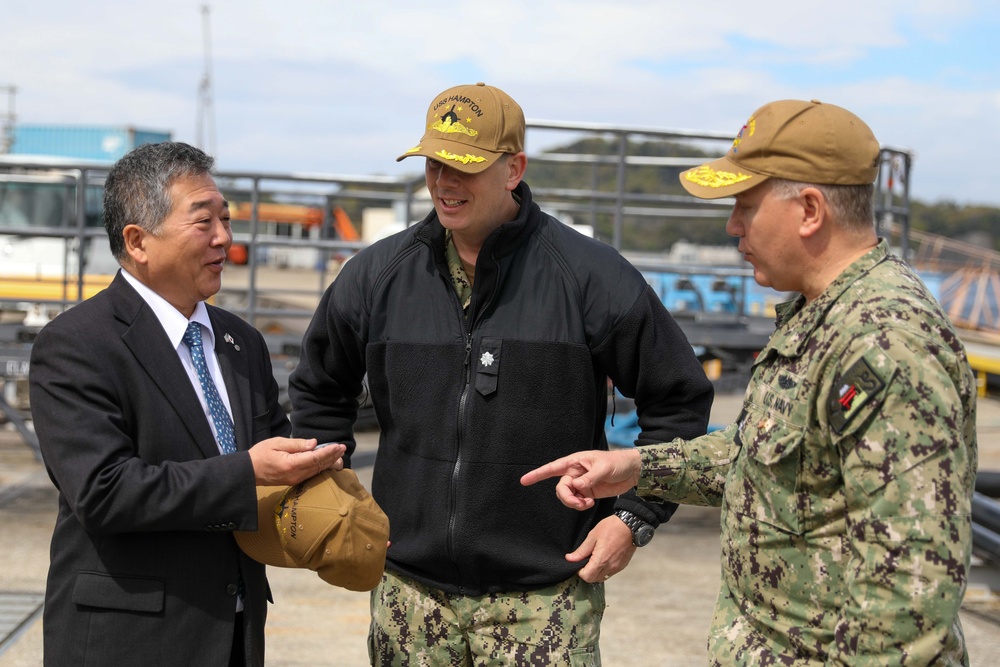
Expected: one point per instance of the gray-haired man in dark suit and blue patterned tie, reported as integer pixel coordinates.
(133, 418)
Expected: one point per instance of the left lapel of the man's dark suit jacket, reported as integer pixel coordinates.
(145, 338)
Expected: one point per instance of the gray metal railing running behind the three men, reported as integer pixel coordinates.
(403, 193)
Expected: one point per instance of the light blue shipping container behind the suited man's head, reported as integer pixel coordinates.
(85, 142)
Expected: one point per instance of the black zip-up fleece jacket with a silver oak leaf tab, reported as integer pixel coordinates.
(468, 404)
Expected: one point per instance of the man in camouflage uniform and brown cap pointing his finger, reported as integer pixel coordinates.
(846, 482)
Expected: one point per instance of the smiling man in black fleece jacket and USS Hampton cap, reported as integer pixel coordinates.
(488, 332)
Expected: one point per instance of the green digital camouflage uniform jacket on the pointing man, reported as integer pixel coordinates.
(845, 484)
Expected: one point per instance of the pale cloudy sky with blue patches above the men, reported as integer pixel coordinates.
(342, 87)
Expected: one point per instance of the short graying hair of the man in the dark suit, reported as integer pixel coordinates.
(136, 189)
